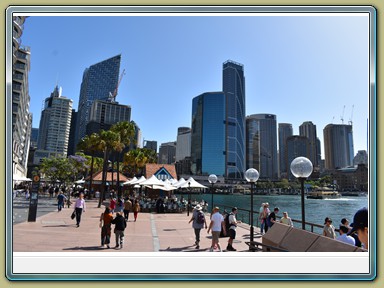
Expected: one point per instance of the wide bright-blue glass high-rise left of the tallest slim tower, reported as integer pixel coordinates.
(208, 136)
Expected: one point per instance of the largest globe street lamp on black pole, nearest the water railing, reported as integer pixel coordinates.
(301, 168)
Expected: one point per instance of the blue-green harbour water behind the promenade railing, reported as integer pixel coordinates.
(315, 209)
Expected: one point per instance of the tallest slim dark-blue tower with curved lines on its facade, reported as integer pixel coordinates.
(234, 89)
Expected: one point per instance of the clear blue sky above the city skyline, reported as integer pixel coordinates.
(301, 68)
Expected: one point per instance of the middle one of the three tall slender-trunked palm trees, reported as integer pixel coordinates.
(109, 140)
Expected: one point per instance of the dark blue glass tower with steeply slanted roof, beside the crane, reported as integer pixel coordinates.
(99, 81)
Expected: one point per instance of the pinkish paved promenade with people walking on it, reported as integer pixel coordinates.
(152, 232)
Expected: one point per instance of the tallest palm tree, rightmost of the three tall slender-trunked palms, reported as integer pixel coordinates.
(126, 132)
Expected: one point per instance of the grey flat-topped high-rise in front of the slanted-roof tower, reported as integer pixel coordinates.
(103, 114)
